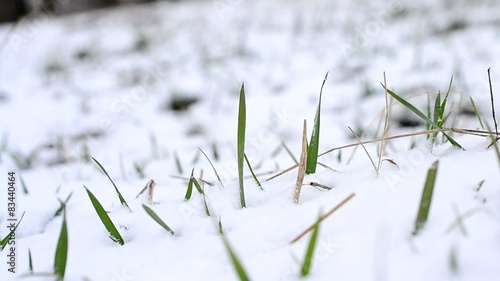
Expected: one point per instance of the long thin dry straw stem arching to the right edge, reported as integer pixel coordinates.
(426, 132)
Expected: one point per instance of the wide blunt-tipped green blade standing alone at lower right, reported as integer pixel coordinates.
(426, 199)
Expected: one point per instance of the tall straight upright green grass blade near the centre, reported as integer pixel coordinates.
(241, 143)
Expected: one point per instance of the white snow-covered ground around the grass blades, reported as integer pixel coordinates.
(104, 84)
